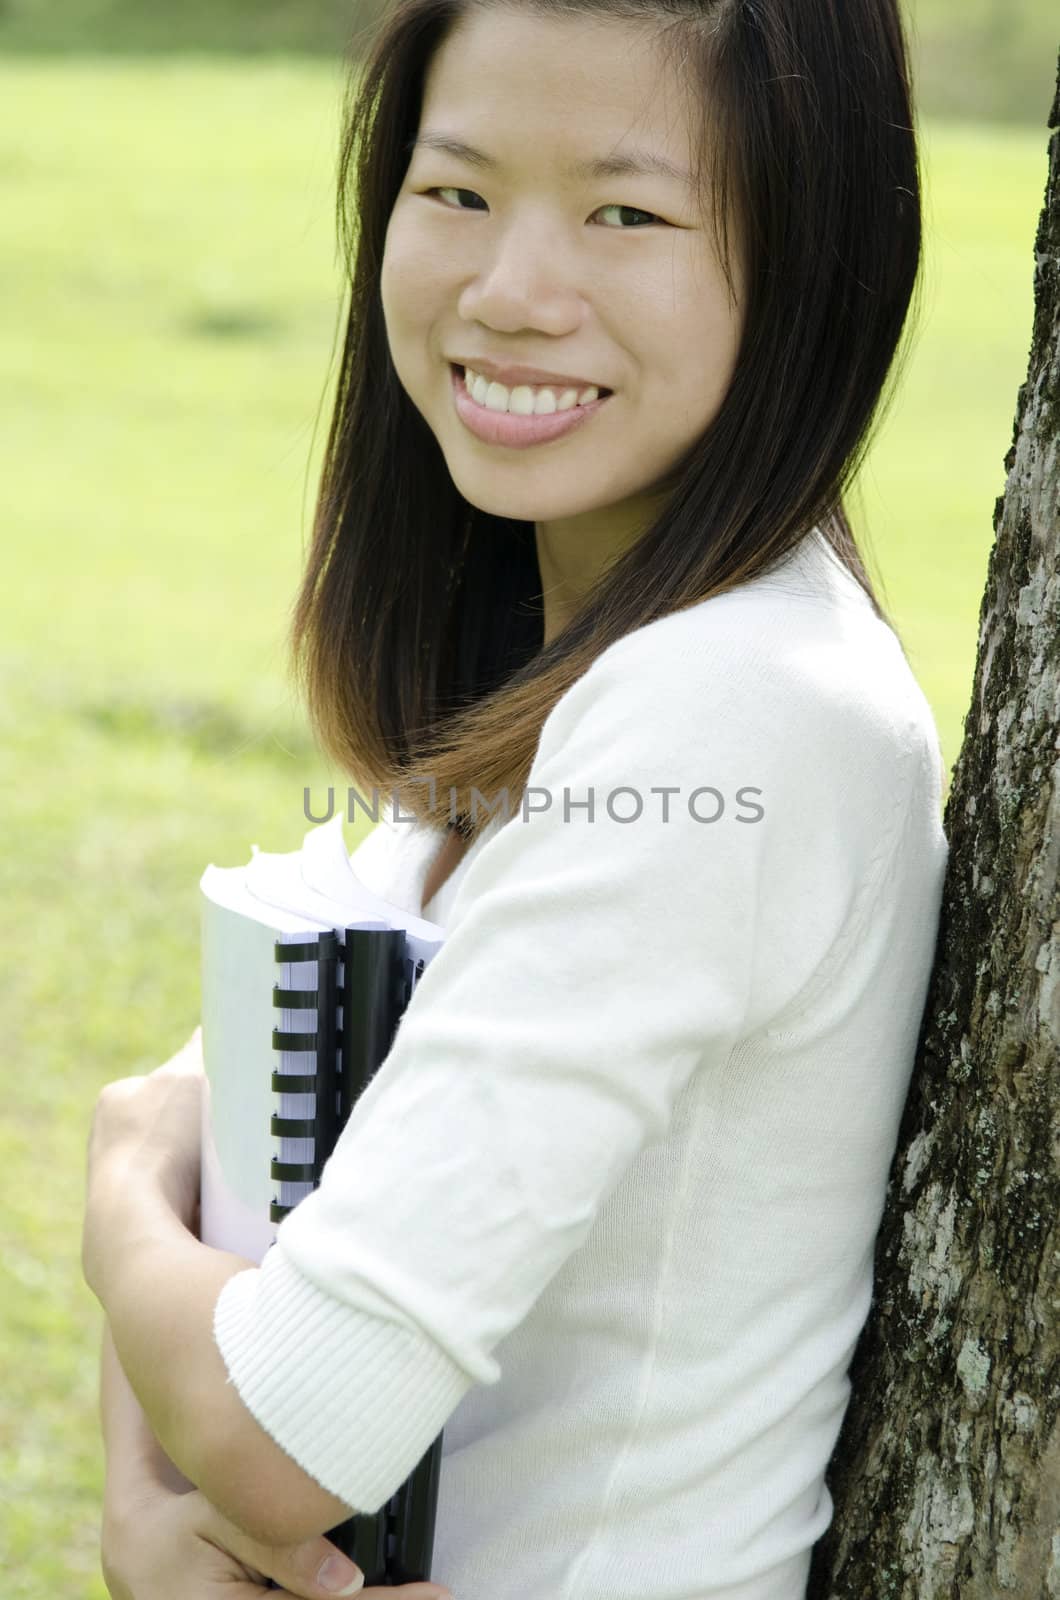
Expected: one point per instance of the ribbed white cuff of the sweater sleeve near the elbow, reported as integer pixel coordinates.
(355, 1399)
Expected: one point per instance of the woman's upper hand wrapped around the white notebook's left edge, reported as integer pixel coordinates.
(145, 1132)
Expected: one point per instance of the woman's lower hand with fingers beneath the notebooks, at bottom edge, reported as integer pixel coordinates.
(175, 1546)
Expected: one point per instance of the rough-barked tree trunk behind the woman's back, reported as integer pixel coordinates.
(947, 1473)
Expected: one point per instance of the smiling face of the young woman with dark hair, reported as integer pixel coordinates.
(520, 262)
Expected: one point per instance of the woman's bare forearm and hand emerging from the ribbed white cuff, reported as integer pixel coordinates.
(159, 1287)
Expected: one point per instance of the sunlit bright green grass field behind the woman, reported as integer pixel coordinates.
(166, 351)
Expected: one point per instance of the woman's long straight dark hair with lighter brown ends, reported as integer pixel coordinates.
(419, 630)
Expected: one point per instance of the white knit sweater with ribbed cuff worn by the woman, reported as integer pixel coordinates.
(608, 1212)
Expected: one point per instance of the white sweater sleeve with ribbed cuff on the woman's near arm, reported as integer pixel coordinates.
(595, 961)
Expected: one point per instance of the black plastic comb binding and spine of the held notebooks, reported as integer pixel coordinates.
(372, 977)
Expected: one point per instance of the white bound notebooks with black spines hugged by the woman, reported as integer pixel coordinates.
(305, 978)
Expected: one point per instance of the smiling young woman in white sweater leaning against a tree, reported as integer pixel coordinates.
(584, 594)
